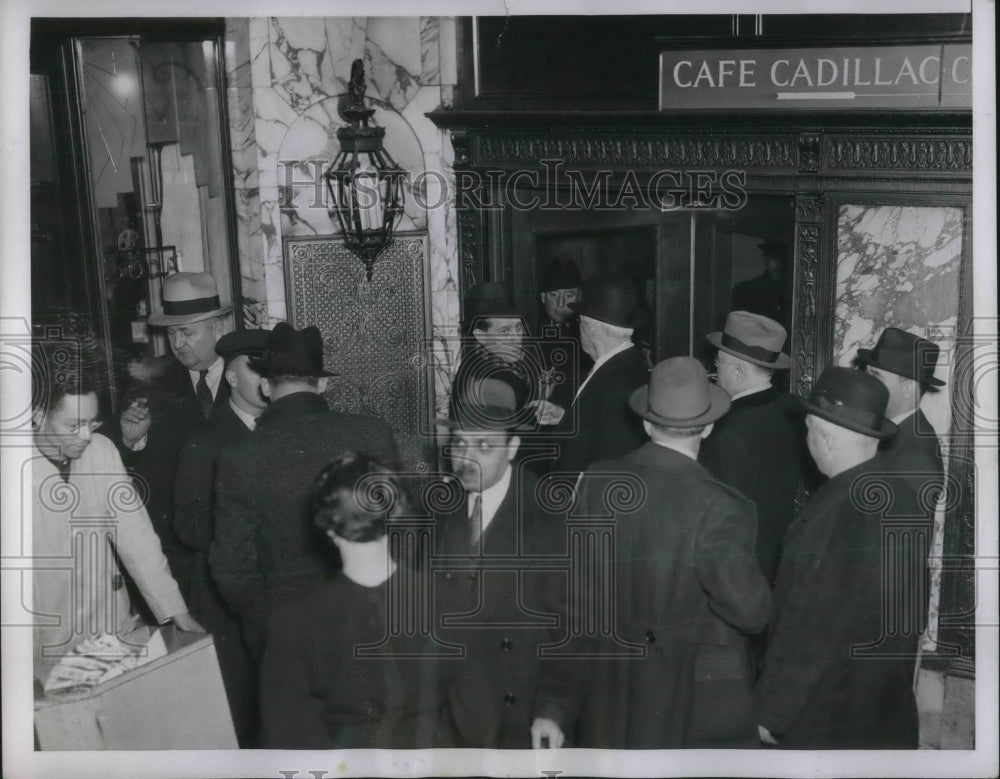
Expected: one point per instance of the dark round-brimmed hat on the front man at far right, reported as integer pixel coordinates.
(851, 399)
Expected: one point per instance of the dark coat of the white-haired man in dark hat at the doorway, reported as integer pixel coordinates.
(600, 424)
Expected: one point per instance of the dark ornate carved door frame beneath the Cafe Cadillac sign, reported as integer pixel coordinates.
(898, 159)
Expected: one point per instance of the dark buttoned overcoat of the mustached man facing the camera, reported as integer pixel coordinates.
(497, 615)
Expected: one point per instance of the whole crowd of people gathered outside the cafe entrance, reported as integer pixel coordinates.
(264, 517)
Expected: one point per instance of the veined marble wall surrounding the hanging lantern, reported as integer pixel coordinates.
(287, 119)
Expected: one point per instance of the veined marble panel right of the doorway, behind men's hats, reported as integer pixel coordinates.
(899, 266)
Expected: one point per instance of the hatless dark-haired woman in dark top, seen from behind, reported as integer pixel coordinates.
(332, 674)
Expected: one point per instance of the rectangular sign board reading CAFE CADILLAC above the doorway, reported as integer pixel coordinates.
(854, 77)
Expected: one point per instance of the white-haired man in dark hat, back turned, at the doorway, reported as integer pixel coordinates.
(598, 423)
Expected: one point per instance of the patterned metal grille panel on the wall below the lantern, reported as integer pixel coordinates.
(374, 333)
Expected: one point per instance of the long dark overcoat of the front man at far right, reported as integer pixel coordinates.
(833, 677)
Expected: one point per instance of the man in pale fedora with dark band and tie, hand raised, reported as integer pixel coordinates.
(170, 397)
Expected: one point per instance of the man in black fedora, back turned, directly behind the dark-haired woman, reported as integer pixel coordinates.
(266, 551)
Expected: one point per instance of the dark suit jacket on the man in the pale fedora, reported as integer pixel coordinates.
(175, 414)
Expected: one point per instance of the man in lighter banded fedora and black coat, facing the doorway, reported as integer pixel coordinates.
(758, 447)
